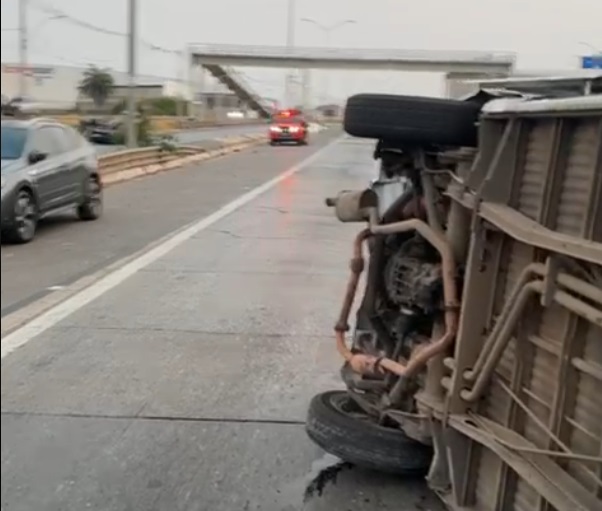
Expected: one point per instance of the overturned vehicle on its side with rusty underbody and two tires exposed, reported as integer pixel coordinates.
(476, 355)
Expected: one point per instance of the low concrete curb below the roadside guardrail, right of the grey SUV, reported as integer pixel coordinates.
(229, 146)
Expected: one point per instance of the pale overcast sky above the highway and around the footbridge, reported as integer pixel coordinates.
(546, 34)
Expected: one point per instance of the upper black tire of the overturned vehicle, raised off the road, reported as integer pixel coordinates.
(411, 120)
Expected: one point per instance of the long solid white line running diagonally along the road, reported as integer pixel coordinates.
(50, 318)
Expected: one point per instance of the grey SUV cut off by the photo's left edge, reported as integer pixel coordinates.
(46, 167)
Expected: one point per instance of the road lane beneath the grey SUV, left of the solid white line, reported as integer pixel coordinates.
(136, 214)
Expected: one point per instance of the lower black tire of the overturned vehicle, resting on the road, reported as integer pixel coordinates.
(362, 442)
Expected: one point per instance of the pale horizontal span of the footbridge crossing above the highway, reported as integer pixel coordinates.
(232, 50)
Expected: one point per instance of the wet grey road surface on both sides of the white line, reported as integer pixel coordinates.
(185, 386)
